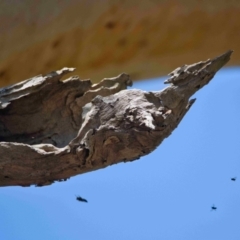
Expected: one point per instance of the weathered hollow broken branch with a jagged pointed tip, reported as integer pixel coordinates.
(51, 130)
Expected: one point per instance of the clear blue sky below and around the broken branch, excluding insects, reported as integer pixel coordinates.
(167, 194)
